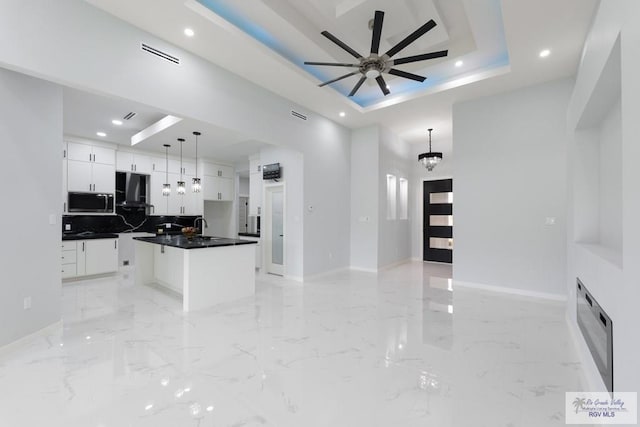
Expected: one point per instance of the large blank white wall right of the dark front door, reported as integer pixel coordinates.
(510, 175)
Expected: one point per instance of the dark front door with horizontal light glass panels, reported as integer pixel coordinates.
(438, 220)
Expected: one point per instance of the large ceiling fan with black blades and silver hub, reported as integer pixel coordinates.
(374, 65)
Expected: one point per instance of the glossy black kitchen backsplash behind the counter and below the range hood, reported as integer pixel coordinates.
(123, 223)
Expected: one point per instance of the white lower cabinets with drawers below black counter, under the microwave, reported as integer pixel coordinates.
(89, 257)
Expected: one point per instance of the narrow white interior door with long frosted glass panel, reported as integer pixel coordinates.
(275, 230)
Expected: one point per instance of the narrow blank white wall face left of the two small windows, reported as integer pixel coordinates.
(365, 160)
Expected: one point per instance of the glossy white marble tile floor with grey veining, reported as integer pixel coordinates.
(403, 348)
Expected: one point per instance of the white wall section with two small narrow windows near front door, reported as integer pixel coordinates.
(394, 240)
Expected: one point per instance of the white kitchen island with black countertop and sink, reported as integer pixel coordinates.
(205, 270)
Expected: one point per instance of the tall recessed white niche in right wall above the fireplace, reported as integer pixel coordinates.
(598, 166)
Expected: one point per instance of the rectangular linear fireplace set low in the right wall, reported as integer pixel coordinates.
(597, 330)
